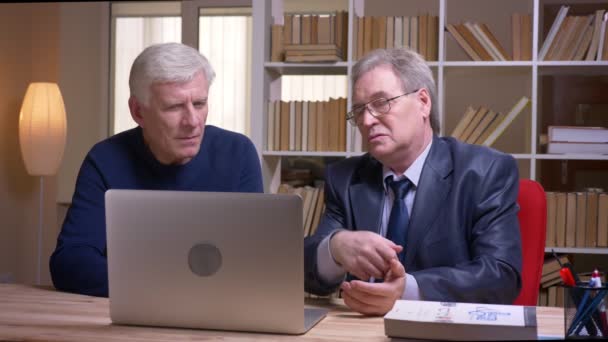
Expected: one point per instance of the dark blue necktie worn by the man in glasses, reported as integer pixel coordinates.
(399, 218)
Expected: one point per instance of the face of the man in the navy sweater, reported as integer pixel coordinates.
(173, 122)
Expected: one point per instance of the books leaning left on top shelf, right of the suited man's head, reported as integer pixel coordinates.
(478, 42)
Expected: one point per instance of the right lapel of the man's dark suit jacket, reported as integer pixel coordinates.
(431, 193)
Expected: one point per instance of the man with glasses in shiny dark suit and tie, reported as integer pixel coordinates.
(419, 216)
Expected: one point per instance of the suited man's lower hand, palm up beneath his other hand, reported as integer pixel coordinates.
(375, 298)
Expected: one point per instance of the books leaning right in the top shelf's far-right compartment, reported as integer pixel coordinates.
(577, 38)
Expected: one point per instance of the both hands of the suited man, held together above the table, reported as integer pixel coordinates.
(366, 254)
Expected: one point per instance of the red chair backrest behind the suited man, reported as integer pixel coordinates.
(533, 226)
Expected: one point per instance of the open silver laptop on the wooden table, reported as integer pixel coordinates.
(227, 261)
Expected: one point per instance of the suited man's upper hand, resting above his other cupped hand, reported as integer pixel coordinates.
(363, 253)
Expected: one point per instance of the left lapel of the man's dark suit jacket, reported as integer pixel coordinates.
(367, 196)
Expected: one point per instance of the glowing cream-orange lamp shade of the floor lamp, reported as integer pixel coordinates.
(42, 128)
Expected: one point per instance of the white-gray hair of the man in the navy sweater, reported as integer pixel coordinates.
(167, 62)
